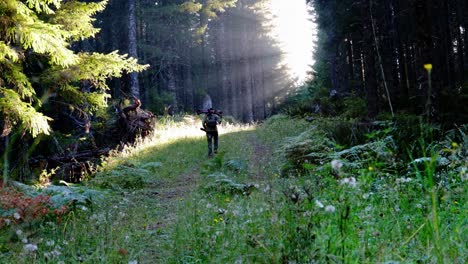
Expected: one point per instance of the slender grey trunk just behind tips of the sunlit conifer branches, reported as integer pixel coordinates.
(132, 46)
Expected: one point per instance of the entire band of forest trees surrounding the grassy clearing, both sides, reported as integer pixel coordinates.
(374, 59)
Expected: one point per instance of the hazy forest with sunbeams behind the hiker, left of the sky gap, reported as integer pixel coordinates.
(197, 49)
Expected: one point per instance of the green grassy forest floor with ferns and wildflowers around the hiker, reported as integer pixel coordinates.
(280, 192)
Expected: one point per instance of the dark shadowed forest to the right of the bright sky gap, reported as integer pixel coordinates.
(391, 57)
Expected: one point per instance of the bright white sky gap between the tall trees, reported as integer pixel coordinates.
(294, 30)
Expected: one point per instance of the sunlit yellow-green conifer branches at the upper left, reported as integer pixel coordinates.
(37, 63)
